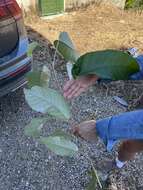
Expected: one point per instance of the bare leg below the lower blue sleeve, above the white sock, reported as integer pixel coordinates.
(128, 149)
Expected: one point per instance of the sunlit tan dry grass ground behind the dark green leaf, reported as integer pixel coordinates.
(94, 28)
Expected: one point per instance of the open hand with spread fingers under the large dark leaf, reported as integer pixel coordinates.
(74, 88)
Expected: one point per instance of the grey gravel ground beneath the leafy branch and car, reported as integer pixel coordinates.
(27, 165)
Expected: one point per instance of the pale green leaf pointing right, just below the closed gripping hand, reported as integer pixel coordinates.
(60, 145)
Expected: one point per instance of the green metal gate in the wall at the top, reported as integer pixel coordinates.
(51, 7)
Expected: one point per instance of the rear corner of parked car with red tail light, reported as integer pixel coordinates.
(14, 62)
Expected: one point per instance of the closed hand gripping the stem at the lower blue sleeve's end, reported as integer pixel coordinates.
(86, 130)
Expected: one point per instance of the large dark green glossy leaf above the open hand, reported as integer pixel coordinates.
(107, 64)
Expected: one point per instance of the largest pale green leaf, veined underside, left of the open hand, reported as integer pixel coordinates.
(46, 100)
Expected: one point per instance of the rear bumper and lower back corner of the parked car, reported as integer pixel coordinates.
(13, 71)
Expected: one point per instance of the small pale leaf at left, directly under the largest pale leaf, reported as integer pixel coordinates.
(33, 129)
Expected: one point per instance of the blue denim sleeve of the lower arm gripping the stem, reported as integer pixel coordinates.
(120, 127)
